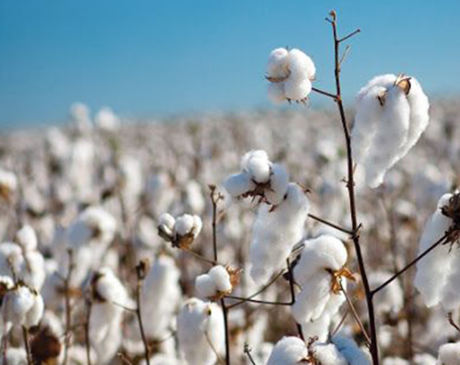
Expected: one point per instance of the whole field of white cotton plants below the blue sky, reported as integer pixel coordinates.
(282, 237)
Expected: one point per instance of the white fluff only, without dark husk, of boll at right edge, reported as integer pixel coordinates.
(434, 269)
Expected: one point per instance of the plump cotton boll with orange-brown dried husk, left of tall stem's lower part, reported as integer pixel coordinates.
(321, 274)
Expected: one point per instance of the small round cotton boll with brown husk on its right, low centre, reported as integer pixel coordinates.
(218, 282)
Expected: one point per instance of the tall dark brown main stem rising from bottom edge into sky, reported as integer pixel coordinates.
(351, 192)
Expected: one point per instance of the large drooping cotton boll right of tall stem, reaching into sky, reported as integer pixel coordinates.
(391, 115)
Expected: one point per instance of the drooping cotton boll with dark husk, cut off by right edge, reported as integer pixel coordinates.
(438, 274)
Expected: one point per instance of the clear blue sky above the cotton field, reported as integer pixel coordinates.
(153, 58)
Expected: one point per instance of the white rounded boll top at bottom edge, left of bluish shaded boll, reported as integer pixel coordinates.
(288, 351)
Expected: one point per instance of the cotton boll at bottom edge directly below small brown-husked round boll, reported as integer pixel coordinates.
(200, 331)
